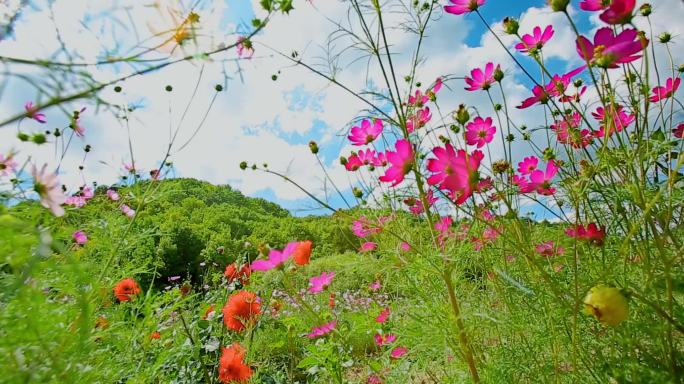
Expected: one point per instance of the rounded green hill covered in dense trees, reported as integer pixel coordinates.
(181, 223)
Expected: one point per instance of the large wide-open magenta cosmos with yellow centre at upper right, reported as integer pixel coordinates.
(610, 50)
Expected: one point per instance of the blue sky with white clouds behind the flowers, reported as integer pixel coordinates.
(257, 119)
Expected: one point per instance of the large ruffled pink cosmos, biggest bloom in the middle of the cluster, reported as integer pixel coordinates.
(457, 172)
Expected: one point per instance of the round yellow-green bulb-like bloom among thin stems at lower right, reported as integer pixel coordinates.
(607, 304)
